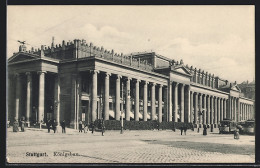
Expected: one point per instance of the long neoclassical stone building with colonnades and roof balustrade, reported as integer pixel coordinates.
(76, 81)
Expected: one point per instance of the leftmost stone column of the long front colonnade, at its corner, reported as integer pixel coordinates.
(94, 95)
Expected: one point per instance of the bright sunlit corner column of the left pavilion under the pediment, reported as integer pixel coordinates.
(41, 95)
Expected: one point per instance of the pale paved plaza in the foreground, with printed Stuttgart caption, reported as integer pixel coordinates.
(150, 146)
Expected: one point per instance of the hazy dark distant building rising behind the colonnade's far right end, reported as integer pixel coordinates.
(248, 89)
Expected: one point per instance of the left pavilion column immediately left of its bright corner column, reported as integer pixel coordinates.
(29, 98)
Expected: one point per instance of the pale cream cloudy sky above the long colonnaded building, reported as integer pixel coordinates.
(217, 39)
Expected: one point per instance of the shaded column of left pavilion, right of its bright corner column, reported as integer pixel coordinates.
(57, 99)
